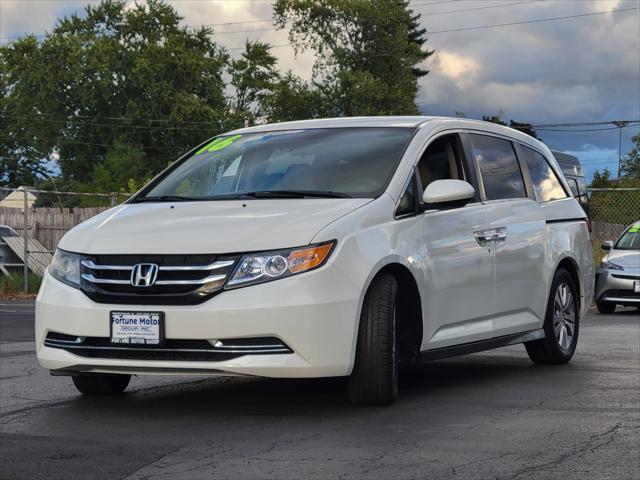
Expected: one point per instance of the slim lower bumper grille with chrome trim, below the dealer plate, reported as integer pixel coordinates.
(170, 349)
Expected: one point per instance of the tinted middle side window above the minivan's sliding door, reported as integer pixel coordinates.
(499, 167)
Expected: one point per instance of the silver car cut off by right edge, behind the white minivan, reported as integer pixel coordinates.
(618, 279)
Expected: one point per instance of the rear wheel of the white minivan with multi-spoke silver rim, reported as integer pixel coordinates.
(561, 323)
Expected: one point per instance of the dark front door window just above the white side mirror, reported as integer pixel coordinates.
(441, 161)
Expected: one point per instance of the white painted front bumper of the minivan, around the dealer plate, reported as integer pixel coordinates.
(315, 314)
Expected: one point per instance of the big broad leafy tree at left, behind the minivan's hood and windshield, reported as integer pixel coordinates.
(111, 78)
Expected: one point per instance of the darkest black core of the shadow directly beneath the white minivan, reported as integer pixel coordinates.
(263, 396)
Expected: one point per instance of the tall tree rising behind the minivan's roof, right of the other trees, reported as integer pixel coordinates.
(369, 52)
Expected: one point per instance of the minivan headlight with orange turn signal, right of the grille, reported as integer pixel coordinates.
(267, 266)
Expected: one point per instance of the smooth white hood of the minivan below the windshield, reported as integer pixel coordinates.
(227, 226)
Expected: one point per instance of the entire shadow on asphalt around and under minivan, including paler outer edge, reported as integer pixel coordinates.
(206, 406)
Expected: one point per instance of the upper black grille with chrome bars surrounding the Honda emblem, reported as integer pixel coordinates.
(181, 279)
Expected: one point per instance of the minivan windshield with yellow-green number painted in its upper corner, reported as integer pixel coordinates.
(335, 162)
